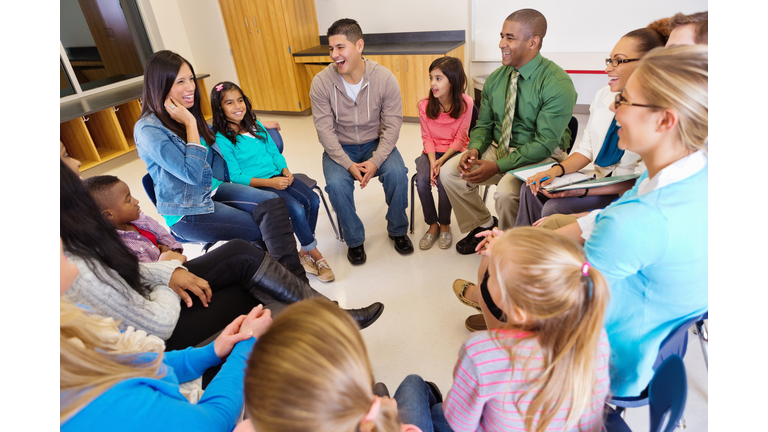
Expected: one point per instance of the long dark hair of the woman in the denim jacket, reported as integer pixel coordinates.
(159, 75)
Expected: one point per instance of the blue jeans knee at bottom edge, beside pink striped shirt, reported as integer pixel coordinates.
(417, 406)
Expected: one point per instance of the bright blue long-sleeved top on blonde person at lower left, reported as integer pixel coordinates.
(155, 404)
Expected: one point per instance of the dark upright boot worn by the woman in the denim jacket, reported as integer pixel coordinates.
(277, 234)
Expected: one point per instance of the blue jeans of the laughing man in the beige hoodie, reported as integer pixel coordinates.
(340, 186)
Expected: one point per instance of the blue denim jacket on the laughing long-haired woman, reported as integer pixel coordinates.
(180, 171)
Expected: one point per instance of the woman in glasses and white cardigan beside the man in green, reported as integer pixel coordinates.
(598, 142)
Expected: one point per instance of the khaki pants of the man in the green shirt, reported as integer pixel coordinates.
(469, 207)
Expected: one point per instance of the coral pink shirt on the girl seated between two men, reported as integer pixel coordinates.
(444, 131)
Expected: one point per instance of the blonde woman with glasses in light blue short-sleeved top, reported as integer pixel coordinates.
(651, 244)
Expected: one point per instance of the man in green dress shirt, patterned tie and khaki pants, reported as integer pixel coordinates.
(542, 109)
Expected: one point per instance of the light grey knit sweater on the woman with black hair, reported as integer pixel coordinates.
(156, 316)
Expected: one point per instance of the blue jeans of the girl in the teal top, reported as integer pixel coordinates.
(303, 204)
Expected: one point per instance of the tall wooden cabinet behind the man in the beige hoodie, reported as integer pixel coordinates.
(263, 34)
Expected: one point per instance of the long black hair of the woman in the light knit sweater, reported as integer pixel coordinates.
(87, 234)
